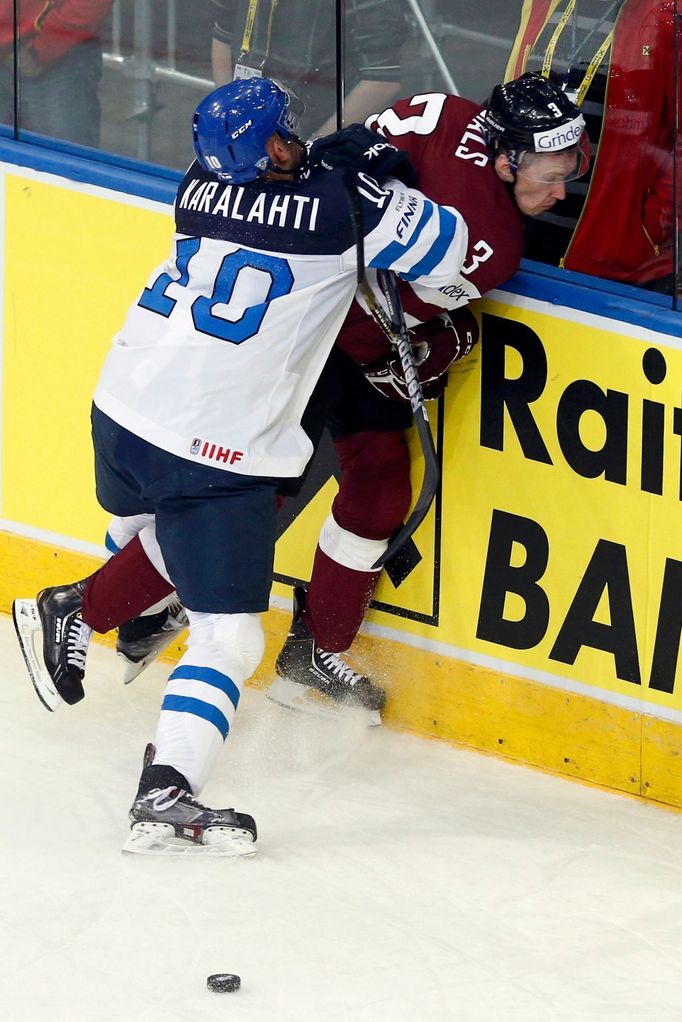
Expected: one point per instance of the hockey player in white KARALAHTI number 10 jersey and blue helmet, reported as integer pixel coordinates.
(198, 415)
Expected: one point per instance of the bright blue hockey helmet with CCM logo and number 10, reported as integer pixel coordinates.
(233, 124)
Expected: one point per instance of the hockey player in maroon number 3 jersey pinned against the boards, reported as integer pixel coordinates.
(515, 158)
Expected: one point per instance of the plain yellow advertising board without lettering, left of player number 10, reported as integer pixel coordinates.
(75, 258)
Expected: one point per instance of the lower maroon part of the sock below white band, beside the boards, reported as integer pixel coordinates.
(338, 599)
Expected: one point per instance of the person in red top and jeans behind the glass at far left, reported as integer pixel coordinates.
(60, 67)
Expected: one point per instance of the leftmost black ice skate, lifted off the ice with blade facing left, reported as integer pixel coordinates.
(55, 642)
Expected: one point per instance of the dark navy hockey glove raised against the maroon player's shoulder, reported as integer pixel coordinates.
(359, 149)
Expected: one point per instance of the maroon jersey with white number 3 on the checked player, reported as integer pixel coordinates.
(444, 138)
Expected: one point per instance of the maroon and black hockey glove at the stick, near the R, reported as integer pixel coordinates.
(436, 345)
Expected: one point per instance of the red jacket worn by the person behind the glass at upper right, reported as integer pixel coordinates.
(625, 230)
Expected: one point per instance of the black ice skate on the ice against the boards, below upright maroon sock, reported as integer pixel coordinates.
(320, 683)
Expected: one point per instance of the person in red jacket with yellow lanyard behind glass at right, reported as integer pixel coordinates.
(617, 60)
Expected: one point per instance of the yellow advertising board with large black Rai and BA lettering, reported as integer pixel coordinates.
(567, 482)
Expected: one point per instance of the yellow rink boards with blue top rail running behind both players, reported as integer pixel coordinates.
(543, 621)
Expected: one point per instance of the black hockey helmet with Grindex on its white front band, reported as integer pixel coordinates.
(531, 117)
